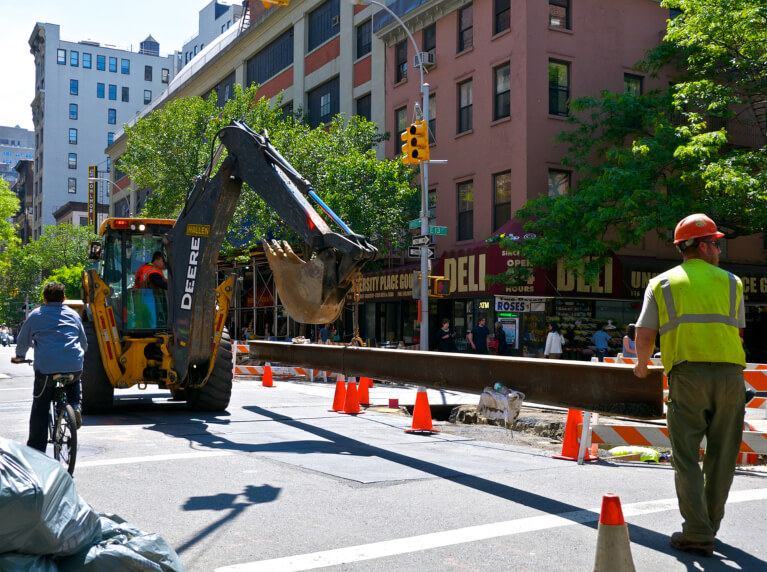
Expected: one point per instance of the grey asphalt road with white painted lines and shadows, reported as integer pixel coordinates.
(280, 483)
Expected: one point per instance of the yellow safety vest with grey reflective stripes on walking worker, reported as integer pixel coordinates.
(698, 307)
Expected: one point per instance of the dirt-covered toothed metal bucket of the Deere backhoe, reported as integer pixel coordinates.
(311, 291)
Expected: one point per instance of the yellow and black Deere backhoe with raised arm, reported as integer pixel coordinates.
(175, 337)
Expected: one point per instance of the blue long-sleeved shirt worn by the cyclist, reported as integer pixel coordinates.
(57, 334)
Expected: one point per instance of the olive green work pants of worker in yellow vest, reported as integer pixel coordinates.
(705, 400)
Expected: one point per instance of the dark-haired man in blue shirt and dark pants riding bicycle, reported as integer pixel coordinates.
(57, 334)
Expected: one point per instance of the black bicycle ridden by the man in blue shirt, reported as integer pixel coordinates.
(62, 423)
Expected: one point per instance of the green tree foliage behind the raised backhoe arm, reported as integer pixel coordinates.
(169, 148)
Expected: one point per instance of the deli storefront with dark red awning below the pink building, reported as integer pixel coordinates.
(389, 313)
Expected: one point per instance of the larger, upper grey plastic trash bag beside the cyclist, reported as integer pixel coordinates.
(40, 510)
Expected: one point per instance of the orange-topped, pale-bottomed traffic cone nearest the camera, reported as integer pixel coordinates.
(613, 544)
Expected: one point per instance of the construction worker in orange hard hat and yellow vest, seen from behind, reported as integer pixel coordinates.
(698, 310)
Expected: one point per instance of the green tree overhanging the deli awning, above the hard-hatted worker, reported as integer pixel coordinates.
(646, 161)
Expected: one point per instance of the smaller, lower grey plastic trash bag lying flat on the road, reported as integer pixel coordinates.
(123, 547)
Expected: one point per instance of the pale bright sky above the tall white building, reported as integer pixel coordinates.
(120, 23)
